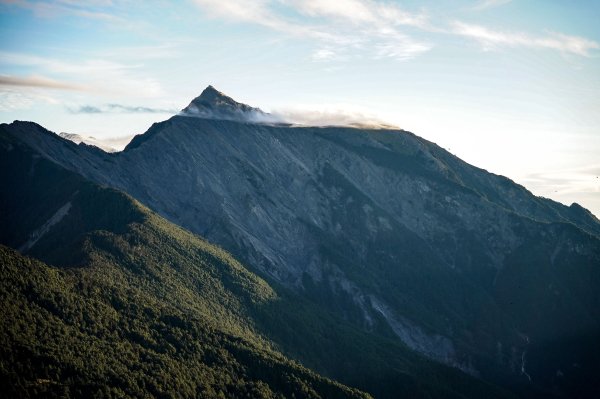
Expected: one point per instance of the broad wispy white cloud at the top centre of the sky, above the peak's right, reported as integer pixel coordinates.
(365, 26)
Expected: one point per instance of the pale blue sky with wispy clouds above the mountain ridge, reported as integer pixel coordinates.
(509, 86)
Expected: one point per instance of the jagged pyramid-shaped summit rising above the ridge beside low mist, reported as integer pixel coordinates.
(213, 104)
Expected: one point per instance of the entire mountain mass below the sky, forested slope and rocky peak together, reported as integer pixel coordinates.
(371, 257)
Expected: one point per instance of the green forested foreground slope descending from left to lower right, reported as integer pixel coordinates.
(106, 298)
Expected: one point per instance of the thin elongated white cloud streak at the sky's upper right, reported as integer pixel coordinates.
(555, 41)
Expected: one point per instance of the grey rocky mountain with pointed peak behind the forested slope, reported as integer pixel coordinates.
(380, 227)
